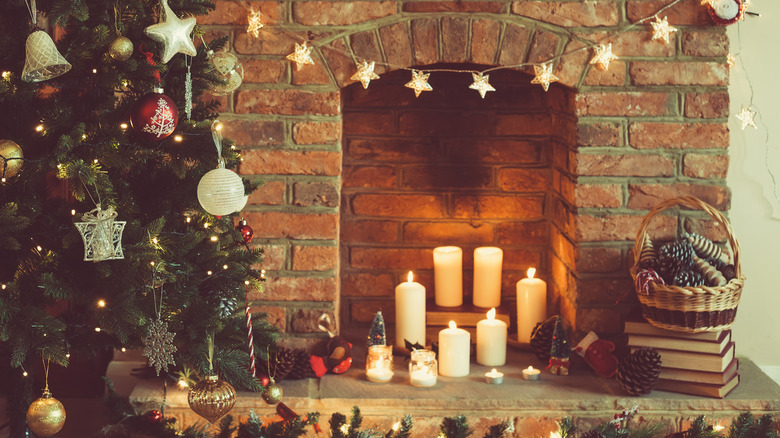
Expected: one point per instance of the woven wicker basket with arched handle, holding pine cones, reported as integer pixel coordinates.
(690, 309)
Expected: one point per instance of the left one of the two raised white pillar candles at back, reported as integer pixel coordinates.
(448, 276)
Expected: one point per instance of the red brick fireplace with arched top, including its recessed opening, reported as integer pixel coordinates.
(361, 185)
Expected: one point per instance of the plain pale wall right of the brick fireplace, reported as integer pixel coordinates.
(755, 208)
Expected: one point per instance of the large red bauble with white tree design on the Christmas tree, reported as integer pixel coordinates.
(154, 116)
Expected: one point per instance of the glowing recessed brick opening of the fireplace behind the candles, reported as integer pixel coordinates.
(451, 168)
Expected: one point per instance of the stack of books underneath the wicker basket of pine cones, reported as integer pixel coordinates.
(691, 363)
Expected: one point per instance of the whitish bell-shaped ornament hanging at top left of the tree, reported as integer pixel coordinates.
(42, 61)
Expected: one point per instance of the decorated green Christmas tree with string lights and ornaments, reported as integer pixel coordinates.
(160, 271)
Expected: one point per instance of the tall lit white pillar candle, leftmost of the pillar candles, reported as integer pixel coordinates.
(409, 313)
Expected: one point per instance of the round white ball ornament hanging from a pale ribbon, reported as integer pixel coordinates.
(221, 191)
